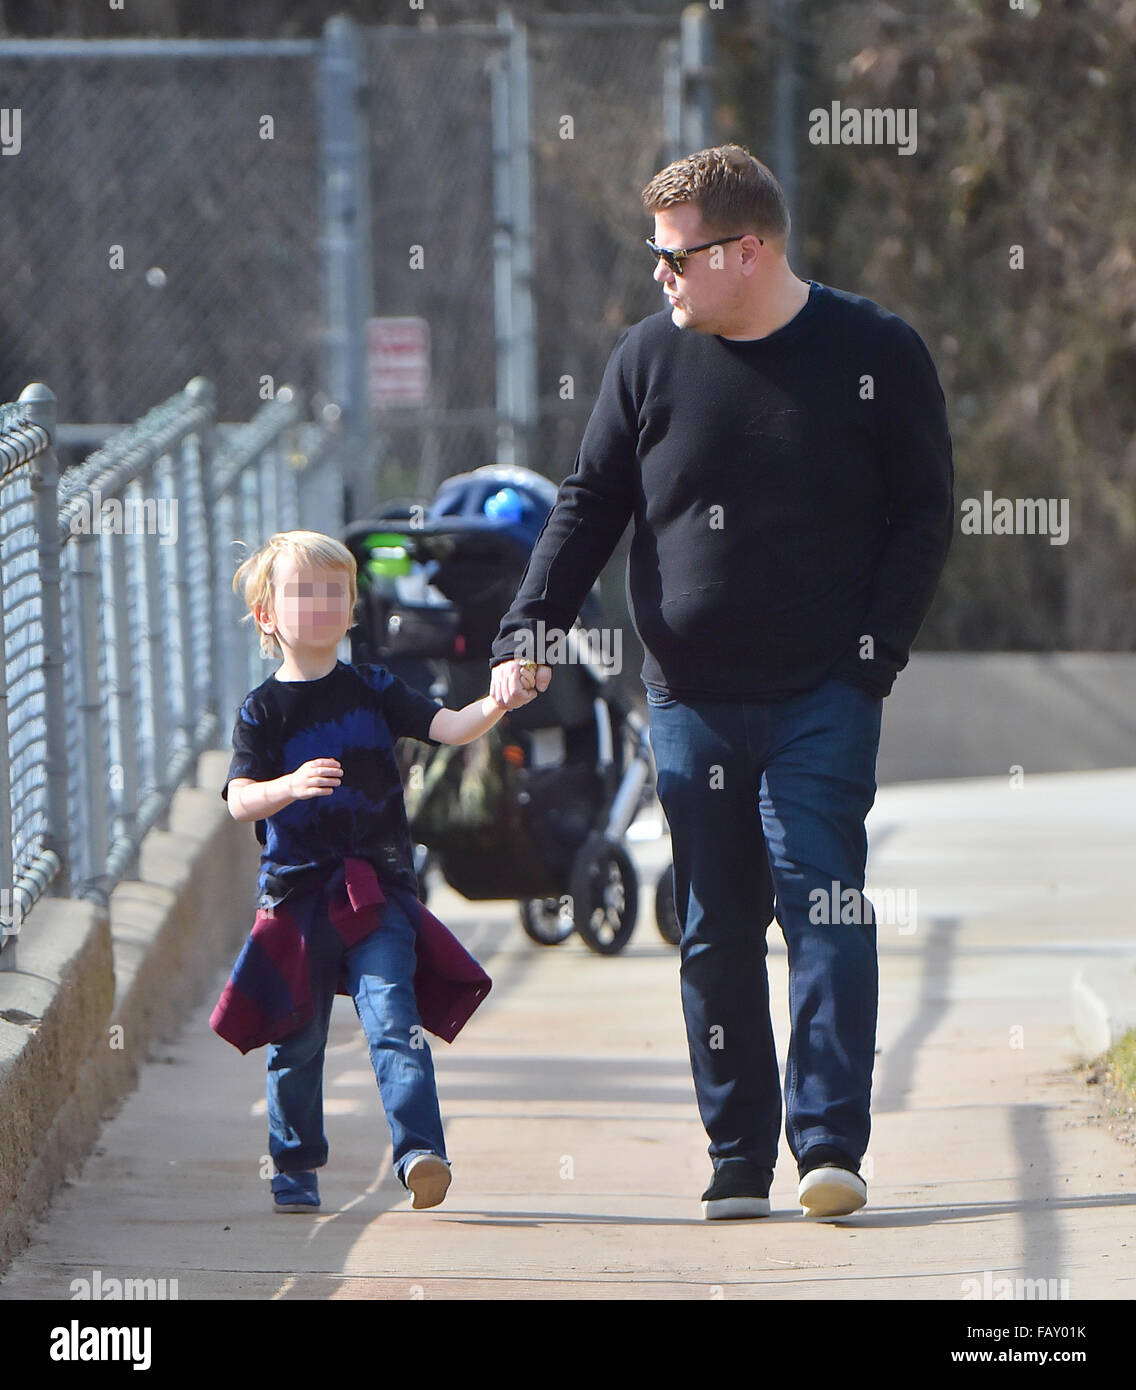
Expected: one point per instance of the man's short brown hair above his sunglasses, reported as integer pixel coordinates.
(732, 190)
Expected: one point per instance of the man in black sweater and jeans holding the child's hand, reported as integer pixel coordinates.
(785, 454)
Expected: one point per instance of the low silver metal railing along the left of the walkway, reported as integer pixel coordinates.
(124, 657)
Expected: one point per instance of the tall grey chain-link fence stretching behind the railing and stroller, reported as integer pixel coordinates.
(165, 220)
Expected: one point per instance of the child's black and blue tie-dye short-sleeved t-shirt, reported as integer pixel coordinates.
(354, 714)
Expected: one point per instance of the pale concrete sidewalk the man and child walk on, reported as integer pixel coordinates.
(571, 1120)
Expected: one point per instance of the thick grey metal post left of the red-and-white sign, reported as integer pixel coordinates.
(348, 286)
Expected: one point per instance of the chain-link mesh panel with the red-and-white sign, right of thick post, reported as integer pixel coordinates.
(432, 201)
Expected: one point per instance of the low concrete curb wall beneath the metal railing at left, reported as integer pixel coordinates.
(95, 992)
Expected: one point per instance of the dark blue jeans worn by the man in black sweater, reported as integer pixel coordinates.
(767, 801)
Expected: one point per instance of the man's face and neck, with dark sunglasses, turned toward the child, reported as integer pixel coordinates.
(710, 295)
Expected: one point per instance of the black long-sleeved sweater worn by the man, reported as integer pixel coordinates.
(793, 502)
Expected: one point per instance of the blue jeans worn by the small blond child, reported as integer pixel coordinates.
(382, 979)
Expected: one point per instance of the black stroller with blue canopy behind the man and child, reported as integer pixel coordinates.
(540, 807)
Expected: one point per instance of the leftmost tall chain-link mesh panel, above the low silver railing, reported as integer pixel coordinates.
(154, 233)
